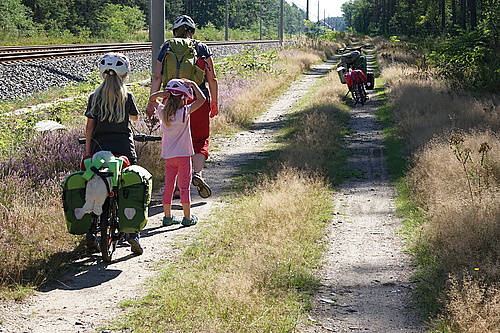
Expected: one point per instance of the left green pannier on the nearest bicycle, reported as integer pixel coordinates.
(73, 196)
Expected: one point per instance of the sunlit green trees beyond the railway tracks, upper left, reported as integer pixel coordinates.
(117, 20)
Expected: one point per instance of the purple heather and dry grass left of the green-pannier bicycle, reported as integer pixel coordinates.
(32, 226)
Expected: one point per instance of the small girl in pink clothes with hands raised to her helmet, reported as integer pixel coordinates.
(177, 146)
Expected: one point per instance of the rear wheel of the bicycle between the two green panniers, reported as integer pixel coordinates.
(109, 229)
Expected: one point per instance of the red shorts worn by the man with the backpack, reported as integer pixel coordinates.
(200, 129)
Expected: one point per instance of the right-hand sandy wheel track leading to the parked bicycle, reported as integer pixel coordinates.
(366, 280)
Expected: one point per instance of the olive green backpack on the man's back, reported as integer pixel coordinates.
(180, 61)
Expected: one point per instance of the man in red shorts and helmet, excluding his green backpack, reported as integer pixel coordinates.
(184, 27)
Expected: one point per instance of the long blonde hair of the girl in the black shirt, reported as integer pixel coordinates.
(108, 103)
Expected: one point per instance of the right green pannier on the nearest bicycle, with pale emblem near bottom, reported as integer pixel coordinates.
(134, 196)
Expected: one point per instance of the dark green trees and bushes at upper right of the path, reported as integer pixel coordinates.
(462, 36)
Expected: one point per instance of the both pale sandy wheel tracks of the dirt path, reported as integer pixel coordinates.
(365, 269)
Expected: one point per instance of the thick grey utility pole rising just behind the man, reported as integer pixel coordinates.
(156, 28)
